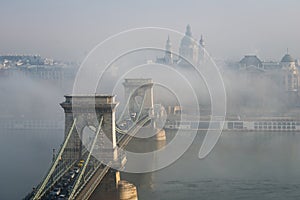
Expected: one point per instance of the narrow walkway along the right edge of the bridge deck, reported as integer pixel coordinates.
(86, 190)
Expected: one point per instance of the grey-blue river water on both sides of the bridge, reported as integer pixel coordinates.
(246, 165)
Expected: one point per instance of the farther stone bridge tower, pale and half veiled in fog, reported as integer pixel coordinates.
(139, 95)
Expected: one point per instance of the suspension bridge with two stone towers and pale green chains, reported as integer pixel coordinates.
(90, 153)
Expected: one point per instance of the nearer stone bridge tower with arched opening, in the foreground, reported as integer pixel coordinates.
(88, 109)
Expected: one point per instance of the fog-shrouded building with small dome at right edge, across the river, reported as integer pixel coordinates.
(280, 77)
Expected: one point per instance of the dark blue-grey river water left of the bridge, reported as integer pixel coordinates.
(25, 158)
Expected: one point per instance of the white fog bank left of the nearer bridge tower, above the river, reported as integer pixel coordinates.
(23, 97)
